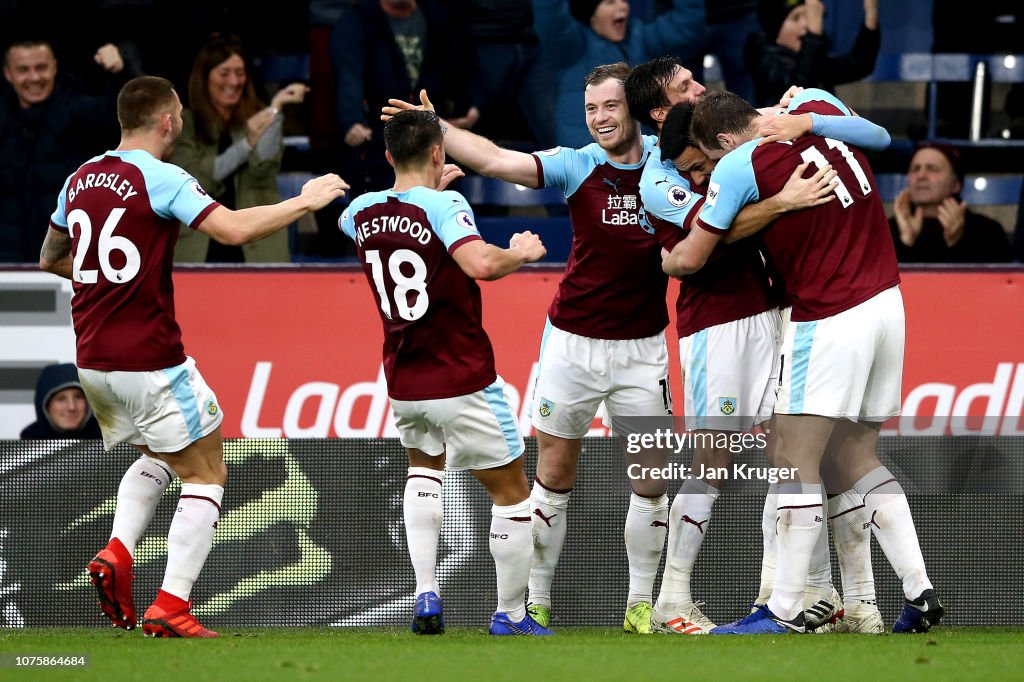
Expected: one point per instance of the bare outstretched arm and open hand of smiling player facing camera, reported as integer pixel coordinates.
(475, 151)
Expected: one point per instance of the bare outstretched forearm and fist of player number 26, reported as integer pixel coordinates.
(245, 226)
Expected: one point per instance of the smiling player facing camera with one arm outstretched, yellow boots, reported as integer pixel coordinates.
(605, 342)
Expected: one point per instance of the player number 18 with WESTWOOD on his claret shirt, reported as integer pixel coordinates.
(422, 254)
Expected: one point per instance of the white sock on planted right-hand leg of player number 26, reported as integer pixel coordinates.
(191, 536)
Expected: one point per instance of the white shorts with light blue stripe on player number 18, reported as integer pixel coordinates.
(476, 432)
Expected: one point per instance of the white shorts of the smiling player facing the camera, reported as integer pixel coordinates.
(577, 373)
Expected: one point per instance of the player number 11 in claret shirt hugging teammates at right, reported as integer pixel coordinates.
(842, 355)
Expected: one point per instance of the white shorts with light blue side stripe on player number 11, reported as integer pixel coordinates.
(848, 366)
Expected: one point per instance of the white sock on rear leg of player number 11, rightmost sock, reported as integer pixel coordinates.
(890, 519)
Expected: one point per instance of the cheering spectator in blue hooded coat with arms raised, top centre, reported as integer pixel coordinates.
(603, 33)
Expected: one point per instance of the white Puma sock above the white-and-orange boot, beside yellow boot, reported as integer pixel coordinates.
(689, 523)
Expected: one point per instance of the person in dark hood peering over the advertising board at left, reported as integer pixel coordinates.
(62, 411)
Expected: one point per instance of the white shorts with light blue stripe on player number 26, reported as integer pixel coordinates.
(166, 410)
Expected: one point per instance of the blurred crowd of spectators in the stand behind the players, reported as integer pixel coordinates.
(275, 96)
